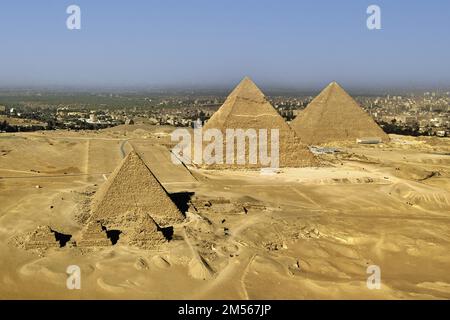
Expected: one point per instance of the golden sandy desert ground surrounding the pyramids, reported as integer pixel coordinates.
(307, 233)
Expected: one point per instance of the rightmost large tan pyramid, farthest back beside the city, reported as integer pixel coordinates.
(334, 116)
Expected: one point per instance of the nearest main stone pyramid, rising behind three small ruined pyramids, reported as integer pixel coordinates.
(132, 187)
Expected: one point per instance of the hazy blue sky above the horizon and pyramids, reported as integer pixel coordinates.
(206, 43)
